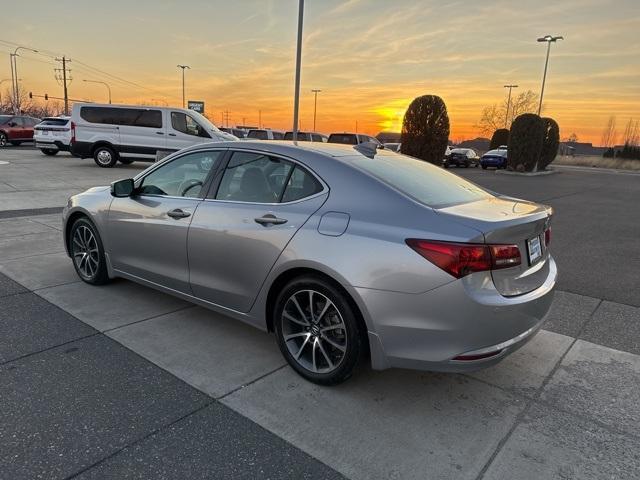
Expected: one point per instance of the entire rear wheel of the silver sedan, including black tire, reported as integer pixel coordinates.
(338, 324)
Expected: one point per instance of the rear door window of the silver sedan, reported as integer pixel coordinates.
(253, 177)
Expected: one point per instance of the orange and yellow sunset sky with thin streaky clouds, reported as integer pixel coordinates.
(369, 57)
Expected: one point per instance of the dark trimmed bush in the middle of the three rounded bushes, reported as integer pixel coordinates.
(525, 142)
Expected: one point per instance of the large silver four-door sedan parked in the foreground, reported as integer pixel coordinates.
(349, 251)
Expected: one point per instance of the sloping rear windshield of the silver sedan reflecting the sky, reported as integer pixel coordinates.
(426, 183)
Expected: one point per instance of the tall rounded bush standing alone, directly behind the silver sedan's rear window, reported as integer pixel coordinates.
(425, 129)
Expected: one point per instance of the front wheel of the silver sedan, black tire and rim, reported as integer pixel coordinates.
(93, 269)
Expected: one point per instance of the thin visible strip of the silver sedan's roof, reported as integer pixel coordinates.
(290, 148)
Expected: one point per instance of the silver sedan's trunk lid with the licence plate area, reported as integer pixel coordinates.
(506, 220)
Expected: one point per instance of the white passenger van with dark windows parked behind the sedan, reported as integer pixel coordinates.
(125, 133)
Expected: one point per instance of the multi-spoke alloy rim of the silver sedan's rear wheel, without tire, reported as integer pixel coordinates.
(314, 332)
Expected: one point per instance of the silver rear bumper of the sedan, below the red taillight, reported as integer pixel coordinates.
(466, 317)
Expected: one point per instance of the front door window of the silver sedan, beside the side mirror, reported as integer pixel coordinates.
(182, 177)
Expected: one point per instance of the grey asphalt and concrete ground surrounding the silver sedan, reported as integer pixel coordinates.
(122, 381)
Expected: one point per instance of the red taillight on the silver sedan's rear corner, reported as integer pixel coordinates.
(460, 259)
